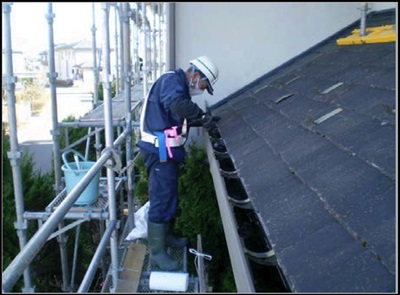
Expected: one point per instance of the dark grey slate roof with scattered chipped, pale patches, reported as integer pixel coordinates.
(314, 145)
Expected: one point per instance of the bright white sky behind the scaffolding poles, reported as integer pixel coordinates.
(29, 27)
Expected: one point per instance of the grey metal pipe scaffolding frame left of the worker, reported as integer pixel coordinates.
(118, 112)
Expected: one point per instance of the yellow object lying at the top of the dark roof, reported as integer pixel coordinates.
(372, 35)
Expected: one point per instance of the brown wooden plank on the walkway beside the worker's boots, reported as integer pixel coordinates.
(131, 269)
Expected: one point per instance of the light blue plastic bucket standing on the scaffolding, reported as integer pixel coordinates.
(74, 172)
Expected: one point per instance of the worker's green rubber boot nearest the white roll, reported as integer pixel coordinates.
(156, 238)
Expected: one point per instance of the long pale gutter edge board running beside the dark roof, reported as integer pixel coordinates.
(240, 267)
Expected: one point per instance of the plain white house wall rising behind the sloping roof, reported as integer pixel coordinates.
(248, 39)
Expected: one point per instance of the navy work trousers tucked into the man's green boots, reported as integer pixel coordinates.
(163, 187)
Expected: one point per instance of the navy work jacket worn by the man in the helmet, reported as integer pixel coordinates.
(158, 117)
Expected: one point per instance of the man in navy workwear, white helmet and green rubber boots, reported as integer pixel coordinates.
(167, 114)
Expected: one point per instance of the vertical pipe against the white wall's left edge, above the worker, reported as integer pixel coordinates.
(170, 37)
